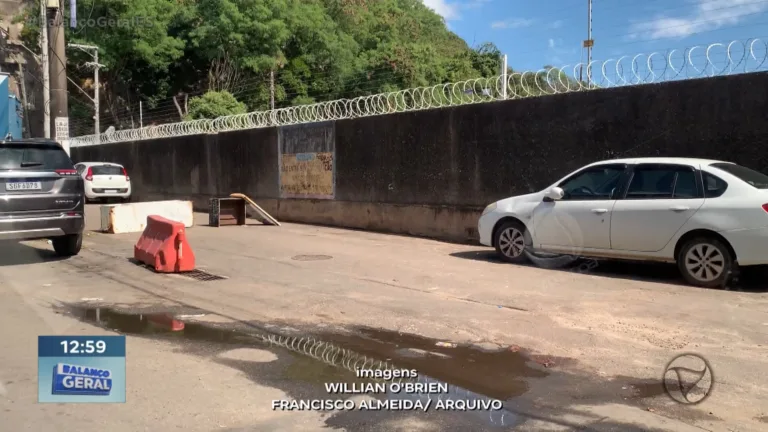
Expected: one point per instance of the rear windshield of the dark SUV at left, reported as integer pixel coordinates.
(34, 157)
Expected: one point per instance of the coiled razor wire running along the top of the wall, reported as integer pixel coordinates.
(702, 61)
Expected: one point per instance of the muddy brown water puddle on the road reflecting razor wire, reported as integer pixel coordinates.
(481, 375)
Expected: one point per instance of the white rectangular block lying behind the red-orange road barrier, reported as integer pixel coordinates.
(132, 217)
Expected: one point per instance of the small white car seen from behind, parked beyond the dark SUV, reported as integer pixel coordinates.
(105, 180)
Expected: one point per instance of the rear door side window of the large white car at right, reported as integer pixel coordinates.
(662, 182)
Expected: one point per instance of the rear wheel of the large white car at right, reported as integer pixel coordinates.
(705, 262)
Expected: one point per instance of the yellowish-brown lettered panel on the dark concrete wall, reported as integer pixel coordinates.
(307, 175)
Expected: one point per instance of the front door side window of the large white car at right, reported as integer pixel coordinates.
(596, 183)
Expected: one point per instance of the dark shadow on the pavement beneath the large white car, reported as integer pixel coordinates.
(752, 279)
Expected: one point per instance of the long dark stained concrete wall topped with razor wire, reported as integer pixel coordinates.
(430, 173)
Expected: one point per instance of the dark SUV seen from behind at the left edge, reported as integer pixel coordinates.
(41, 195)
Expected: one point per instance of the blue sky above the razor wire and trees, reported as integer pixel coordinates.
(550, 32)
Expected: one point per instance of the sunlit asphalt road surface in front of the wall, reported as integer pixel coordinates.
(563, 349)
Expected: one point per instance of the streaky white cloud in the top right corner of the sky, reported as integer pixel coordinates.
(707, 15)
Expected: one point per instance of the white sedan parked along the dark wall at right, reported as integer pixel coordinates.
(707, 216)
